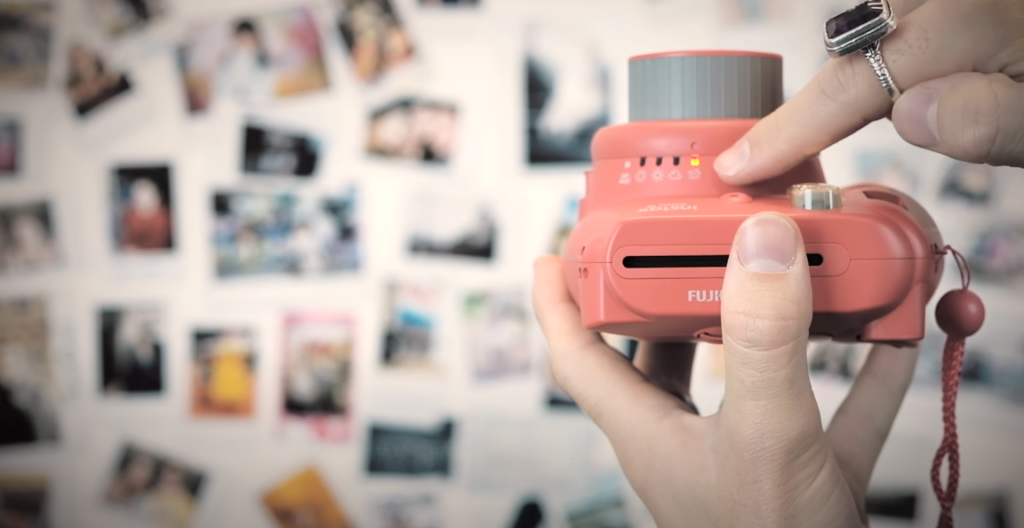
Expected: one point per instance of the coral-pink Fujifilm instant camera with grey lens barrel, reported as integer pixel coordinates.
(649, 255)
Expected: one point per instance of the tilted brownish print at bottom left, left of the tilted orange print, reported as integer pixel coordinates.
(155, 488)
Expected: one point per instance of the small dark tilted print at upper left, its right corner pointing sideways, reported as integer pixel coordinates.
(92, 83)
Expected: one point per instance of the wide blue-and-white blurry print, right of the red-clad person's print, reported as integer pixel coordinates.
(285, 234)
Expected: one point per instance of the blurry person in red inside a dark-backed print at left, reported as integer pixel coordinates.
(146, 224)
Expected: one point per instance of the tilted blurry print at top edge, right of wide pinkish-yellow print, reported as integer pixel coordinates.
(375, 37)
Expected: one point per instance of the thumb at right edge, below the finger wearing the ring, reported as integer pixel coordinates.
(977, 118)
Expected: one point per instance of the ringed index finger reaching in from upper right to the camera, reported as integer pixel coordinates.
(846, 96)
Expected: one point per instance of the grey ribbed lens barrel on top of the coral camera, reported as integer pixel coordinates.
(705, 85)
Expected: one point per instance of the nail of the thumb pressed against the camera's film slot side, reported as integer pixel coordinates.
(766, 244)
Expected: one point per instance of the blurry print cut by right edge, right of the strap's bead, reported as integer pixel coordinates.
(998, 254)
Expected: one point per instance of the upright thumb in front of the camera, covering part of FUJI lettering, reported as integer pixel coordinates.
(766, 316)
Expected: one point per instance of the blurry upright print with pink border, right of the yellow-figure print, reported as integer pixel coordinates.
(318, 373)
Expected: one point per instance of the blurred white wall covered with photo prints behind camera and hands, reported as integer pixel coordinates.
(268, 263)
